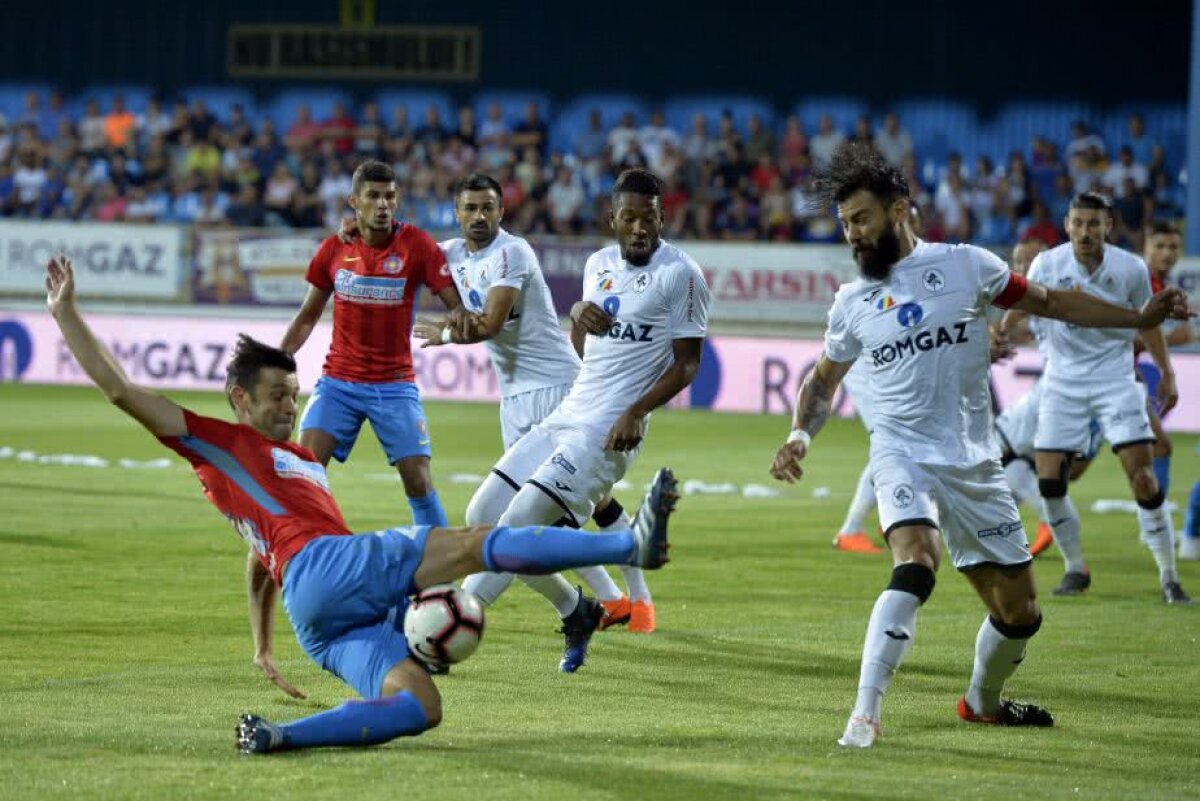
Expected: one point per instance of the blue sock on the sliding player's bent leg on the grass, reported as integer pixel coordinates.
(358, 724)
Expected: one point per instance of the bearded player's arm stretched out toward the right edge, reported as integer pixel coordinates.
(1088, 311)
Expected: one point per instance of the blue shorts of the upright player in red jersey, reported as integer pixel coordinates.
(395, 412)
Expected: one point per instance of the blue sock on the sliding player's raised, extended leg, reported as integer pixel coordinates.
(542, 550)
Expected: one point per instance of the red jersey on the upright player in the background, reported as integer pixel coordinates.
(375, 293)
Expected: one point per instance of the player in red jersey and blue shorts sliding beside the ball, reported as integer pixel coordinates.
(345, 595)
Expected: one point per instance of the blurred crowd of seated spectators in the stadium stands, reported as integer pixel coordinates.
(178, 162)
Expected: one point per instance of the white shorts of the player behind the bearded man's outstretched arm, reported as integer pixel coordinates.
(1065, 419)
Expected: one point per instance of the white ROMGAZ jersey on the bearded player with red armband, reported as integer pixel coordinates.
(921, 340)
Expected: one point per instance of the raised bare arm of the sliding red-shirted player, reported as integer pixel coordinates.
(161, 417)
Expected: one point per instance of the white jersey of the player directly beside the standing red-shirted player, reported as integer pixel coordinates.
(532, 351)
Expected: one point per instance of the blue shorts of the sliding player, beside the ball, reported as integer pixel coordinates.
(346, 598)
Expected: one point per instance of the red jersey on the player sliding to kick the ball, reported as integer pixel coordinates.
(275, 493)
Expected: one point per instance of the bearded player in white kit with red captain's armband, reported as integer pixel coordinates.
(916, 322)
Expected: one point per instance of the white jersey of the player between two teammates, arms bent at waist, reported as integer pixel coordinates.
(651, 308)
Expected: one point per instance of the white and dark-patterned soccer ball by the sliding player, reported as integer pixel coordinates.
(445, 624)
